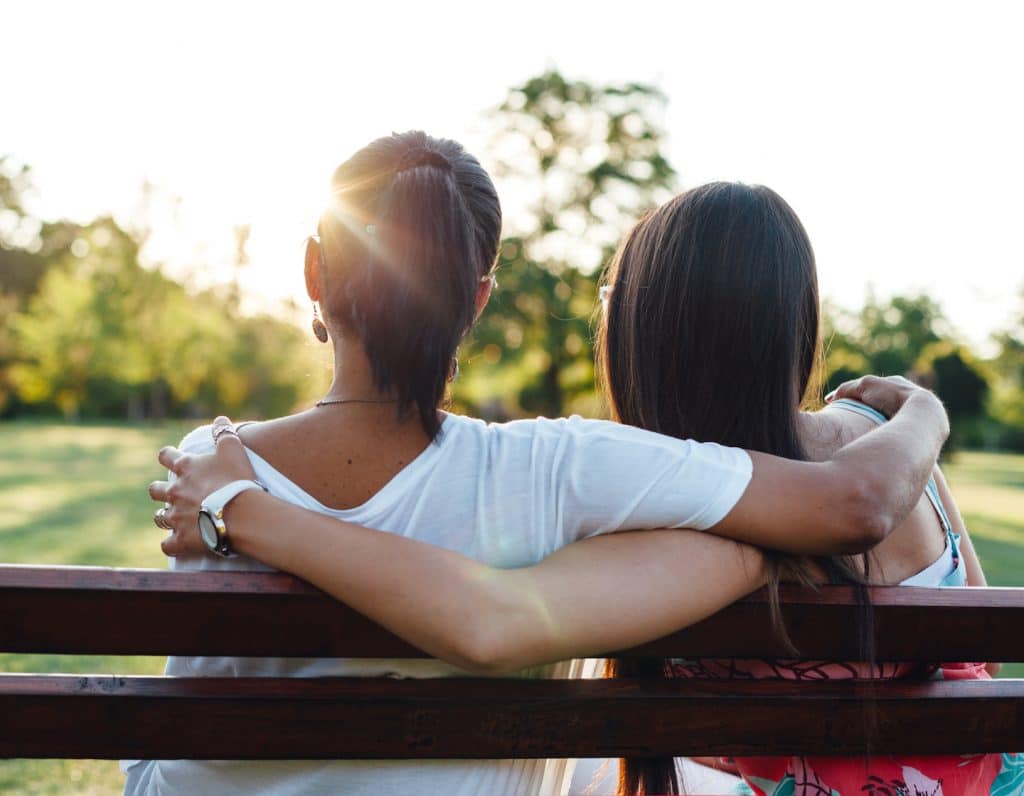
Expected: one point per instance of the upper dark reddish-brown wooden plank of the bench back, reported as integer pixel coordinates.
(78, 610)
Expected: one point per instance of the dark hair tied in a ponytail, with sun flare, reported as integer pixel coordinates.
(414, 226)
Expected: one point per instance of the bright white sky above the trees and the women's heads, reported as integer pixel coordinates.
(895, 130)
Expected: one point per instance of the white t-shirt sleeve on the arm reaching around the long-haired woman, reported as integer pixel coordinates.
(616, 478)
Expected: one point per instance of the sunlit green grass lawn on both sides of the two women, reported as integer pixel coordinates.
(77, 495)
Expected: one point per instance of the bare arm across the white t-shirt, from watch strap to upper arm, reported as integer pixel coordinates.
(606, 594)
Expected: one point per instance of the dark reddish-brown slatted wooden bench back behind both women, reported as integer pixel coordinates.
(140, 612)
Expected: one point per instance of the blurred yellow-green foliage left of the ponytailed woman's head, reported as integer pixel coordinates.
(88, 331)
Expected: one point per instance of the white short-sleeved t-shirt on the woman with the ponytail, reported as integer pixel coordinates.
(507, 495)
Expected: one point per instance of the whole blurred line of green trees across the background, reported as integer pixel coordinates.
(89, 330)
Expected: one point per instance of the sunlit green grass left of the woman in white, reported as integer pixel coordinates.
(77, 495)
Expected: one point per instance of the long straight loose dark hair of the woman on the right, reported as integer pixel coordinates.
(711, 332)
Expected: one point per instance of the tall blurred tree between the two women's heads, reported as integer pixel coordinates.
(590, 159)
